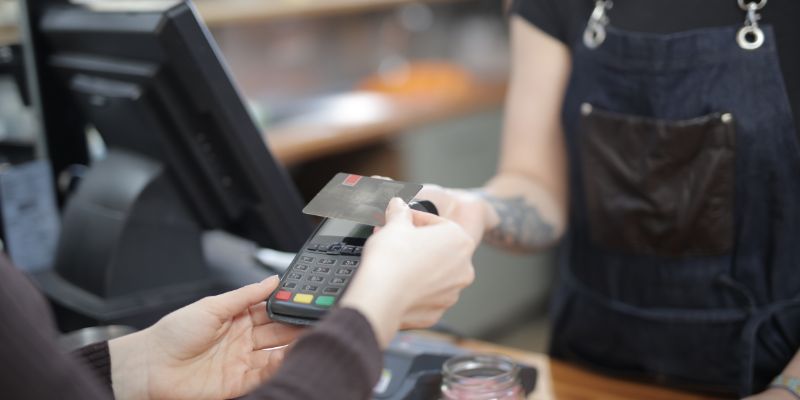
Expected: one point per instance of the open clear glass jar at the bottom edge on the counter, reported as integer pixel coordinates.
(481, 377)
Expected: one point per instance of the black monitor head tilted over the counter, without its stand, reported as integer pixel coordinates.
(149, 78)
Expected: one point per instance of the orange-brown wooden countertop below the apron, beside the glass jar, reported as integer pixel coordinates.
(558, 380)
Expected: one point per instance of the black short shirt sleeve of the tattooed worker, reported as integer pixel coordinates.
(561, 19)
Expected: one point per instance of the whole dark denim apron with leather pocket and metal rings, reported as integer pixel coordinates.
(680, 263)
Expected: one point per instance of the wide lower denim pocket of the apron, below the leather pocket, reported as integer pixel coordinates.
(691, 349)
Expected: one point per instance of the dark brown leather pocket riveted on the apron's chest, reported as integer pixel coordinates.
(659, 187)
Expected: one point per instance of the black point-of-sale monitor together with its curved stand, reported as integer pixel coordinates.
(184, 157)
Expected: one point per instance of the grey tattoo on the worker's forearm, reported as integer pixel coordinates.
(521, 224)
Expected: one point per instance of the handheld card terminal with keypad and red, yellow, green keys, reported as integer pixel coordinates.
(319, 274)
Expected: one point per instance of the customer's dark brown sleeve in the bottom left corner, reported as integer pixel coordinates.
(34, 367)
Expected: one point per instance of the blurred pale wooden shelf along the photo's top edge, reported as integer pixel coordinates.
(230, 12)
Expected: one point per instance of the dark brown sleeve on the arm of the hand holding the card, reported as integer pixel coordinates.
(338, 359)
